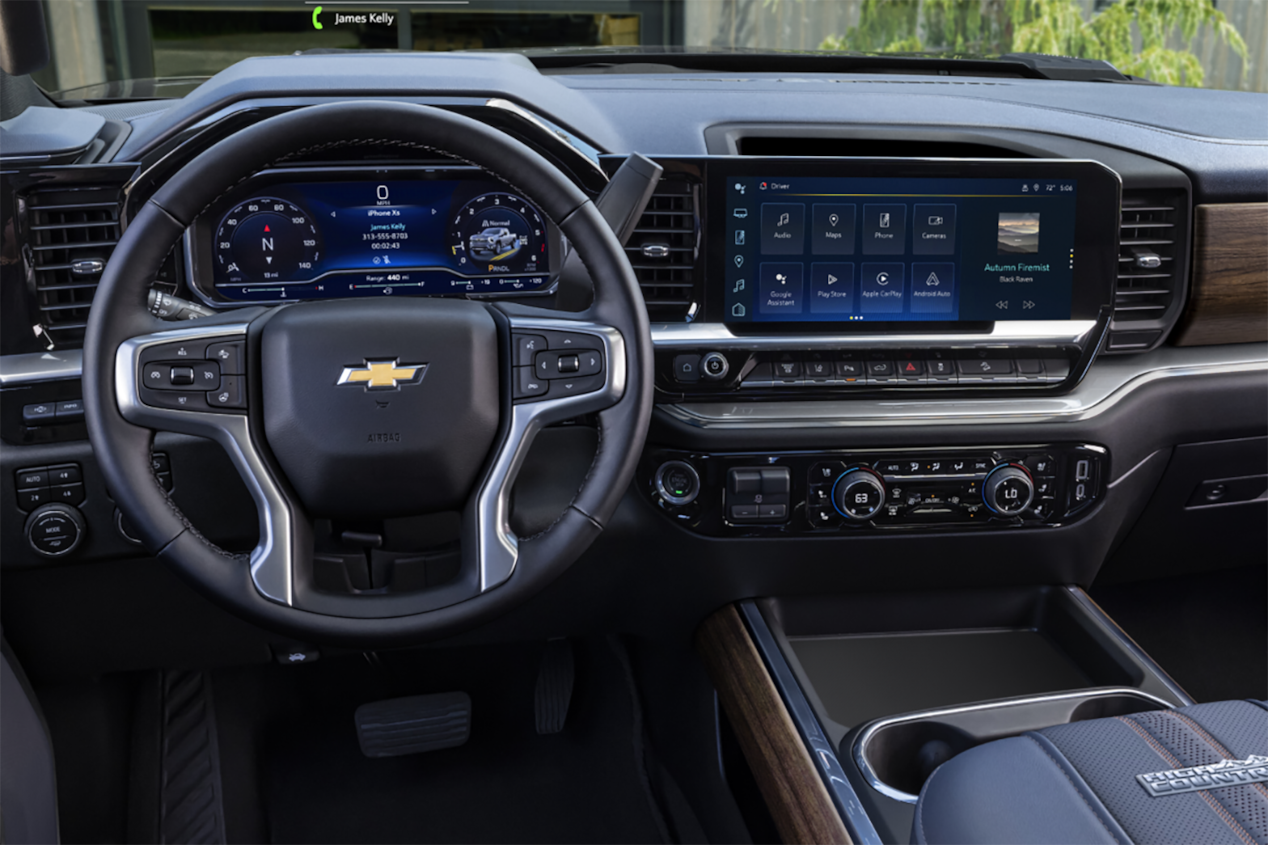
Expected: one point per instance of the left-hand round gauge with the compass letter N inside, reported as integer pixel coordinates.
(267, 240)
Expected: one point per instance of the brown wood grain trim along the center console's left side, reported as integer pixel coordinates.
(796, 796)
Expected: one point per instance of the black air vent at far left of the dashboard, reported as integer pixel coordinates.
(72, 235)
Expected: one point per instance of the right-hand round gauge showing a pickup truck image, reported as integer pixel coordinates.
(496, 234)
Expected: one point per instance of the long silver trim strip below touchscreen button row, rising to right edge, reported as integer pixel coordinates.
(1109, 383)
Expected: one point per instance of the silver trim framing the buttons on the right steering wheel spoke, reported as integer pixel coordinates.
(496, 545)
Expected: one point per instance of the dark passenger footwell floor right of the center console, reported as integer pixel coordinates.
(1209, 631)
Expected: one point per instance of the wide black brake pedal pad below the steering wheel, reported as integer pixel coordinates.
(414, 725)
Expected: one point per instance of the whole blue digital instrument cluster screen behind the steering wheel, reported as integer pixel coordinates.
(305, 235)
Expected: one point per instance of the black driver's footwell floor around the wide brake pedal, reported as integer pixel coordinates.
(508, 785)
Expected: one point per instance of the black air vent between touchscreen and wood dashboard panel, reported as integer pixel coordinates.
(1149, 247)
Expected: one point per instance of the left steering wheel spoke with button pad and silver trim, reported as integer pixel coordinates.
(193, 381)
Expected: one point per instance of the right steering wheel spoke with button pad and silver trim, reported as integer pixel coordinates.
(562, 370)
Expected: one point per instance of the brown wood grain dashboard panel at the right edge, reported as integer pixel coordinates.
(1229, 299)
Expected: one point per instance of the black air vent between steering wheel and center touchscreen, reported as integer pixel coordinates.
(664, 251)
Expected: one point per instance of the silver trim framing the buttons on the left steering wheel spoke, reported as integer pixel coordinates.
(271, 559)
